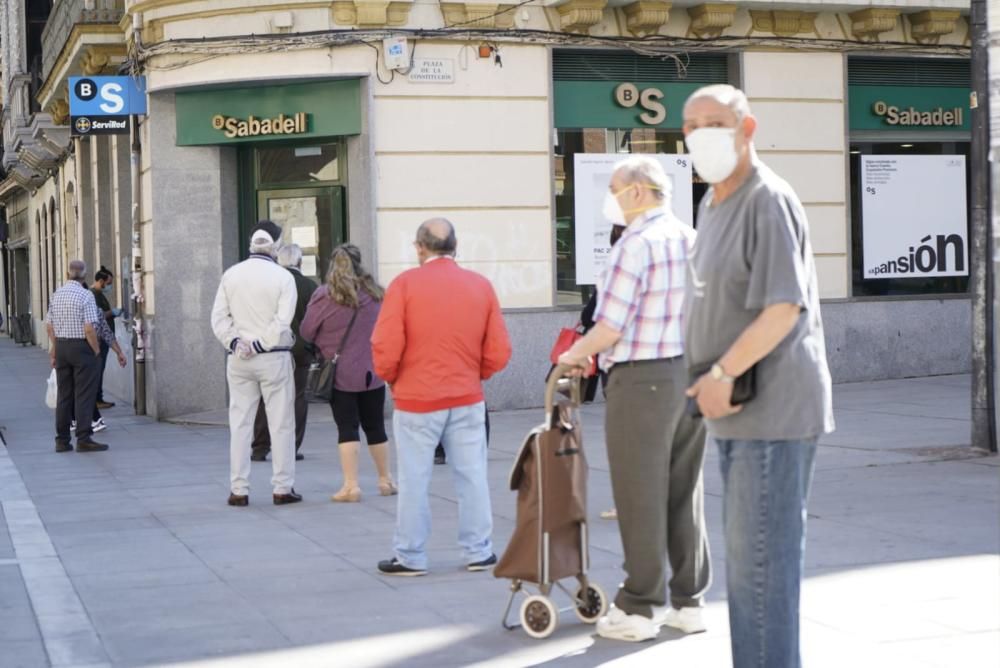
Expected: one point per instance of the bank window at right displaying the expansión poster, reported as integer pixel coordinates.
(914, 262)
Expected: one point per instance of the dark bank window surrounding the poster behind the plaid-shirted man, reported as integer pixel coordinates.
(597, 140)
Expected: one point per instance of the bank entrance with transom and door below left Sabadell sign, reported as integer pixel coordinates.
(302, 189)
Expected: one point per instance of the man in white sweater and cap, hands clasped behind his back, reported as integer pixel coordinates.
(252, 318)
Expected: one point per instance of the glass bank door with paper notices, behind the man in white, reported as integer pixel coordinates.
(313, 218)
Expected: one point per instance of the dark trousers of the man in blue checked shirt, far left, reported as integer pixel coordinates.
(77, 375)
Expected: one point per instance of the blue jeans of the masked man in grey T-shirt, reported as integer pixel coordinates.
(766, 485)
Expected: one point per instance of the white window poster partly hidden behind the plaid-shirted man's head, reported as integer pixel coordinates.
(591, 176)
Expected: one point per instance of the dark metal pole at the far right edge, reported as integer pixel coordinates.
(983, 414)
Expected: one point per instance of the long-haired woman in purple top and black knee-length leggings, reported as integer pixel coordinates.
(341, 316)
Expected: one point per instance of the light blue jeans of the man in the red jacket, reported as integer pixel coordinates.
(463, 432)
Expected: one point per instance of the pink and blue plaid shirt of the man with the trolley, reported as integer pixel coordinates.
(641, 293)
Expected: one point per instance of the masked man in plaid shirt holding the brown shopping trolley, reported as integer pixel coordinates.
(655, 449)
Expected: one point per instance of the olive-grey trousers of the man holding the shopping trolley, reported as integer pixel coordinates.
(655, 456)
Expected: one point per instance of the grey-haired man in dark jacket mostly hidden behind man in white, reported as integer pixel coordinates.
(290, 257)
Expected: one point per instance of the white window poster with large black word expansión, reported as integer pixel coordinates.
(914, 216)
